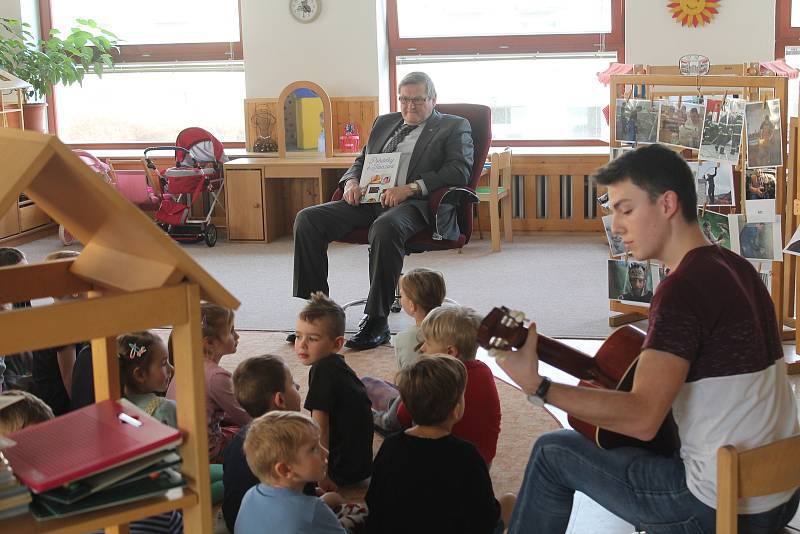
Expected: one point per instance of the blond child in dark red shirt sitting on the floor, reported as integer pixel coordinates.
(453, 330)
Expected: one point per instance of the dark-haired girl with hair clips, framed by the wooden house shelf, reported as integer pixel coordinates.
(145, 371)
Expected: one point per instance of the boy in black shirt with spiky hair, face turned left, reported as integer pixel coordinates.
(336, 397)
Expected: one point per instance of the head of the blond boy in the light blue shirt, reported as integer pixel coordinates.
(283, 448)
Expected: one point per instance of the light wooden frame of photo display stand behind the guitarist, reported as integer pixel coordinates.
(745, 82)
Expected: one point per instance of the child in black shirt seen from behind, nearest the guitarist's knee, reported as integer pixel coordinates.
(425, 479)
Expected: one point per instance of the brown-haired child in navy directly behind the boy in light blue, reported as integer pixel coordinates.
(261, 384)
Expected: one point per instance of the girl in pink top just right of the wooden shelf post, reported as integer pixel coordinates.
(225, 416)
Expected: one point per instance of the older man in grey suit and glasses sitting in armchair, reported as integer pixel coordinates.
(436, 151)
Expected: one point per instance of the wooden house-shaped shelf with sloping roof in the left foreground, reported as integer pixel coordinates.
(136, 278)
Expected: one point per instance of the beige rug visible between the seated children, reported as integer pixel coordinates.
(521, 424)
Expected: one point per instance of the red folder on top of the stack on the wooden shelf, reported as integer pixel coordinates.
(85, 442)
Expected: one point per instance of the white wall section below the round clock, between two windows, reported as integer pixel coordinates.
(338, 51)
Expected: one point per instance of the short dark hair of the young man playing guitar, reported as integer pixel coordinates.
(656, 169)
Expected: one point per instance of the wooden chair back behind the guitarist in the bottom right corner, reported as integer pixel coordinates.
(767, 469)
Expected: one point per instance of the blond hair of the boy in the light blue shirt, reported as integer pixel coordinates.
(276, 437)
